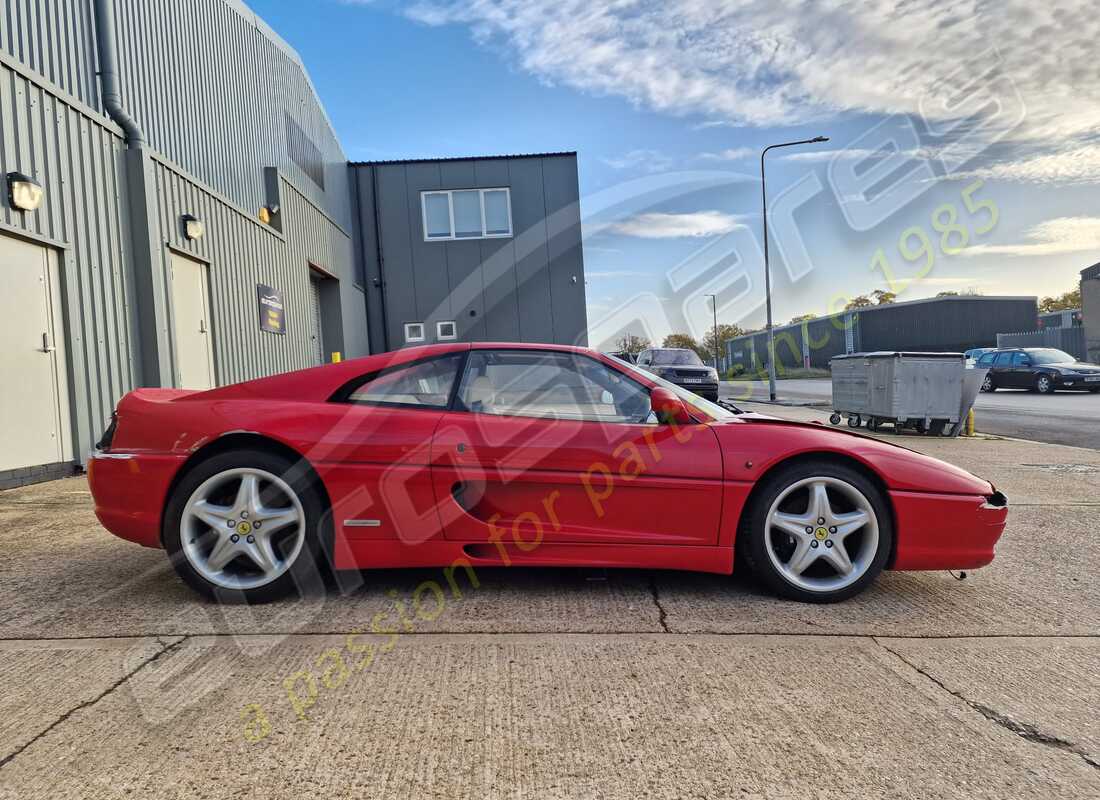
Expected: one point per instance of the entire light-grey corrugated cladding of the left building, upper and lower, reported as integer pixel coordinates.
(217, 114)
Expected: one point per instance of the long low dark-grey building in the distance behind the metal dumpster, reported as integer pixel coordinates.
(936, 325)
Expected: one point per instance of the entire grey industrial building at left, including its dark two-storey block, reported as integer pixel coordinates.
(179, 212)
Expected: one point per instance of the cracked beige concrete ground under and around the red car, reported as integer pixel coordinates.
(562, 684)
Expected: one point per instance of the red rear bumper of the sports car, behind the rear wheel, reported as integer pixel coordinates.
(130, 492)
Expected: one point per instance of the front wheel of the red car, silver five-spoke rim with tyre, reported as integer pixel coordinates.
(818, 532)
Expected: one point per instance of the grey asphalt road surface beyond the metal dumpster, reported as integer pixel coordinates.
(1061, 419)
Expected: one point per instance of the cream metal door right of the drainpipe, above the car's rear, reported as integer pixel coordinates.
(191, 317)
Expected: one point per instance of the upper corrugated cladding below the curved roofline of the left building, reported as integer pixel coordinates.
(193, 73)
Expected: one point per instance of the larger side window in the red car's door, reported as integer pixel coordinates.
(530, 383)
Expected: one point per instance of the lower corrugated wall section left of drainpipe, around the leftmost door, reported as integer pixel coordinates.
(78, 156)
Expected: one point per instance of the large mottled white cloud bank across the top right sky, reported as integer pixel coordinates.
(793, 62)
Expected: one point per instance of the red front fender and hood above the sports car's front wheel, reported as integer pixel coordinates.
(754, 443)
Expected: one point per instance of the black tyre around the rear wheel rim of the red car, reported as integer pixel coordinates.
(305, 575)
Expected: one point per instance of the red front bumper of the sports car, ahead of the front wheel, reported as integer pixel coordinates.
(947, 531)
